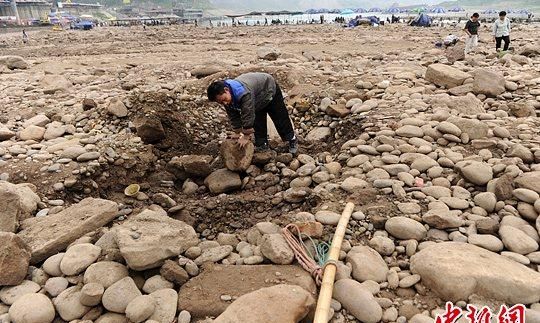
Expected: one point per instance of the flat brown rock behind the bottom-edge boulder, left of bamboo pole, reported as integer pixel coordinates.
(201, 295)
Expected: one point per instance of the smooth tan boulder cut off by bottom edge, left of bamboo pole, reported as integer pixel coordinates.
(280, 303)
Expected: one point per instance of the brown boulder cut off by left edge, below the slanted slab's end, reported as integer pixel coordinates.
(14, 259)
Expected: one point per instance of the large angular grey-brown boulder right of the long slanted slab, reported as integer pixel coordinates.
(148, 239)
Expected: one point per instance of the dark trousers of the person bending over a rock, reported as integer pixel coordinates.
(277, 110)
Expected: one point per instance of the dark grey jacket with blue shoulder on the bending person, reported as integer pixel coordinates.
(260, 88)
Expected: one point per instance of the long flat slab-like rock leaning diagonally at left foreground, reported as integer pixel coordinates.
(52, 234)
